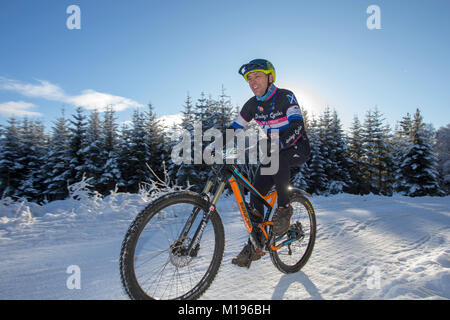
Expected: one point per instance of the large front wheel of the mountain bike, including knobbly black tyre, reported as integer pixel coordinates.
(154, 260)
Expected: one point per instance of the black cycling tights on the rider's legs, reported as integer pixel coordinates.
(263, 183)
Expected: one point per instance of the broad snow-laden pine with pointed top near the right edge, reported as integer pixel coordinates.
(418, 169)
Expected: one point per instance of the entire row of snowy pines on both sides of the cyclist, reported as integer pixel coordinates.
(411, 159)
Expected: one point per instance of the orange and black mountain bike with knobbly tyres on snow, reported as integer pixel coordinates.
(174, 247)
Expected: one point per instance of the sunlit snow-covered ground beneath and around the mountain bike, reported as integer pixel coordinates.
(369, 247)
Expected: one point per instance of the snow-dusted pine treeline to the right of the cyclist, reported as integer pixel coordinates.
(373, 158)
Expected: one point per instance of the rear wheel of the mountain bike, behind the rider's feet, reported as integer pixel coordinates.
(291, 258)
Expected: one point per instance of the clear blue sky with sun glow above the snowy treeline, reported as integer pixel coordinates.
(130, 53)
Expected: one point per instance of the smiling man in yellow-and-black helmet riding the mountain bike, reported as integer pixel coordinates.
(276, 110)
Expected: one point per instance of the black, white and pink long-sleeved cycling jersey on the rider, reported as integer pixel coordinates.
(278, 111)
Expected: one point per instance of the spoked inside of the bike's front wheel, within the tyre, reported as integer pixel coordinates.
(162, 265)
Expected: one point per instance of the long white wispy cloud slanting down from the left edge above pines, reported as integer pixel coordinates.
(89, 99)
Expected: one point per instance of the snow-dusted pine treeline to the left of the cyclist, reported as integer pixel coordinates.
(40, 166)
